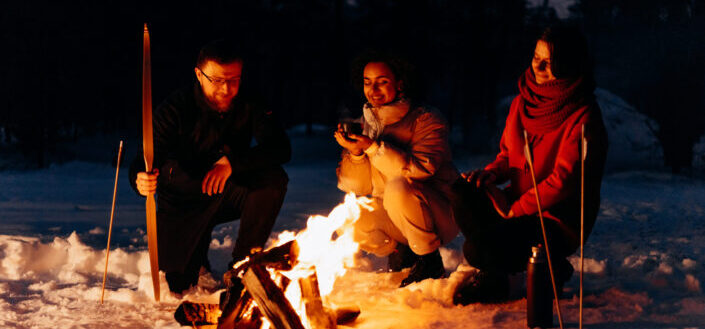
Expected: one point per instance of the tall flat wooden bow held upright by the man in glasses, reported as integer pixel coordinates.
(148, 147)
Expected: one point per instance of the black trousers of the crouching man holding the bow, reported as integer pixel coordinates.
(186, 217)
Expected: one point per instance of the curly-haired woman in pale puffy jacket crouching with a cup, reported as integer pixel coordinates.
(402, 158)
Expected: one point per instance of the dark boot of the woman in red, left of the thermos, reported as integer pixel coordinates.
(482, 287)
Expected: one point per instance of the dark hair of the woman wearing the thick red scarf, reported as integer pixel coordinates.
(570, 57)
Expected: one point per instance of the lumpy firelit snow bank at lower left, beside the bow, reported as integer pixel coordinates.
(58, 285)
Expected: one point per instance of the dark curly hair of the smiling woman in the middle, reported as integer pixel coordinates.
(401, 68)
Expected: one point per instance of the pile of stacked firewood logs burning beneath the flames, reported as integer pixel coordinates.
(255, 289)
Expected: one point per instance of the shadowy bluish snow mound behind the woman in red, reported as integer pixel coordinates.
(632, 136)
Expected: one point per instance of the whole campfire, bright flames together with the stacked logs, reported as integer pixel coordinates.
(286, 286)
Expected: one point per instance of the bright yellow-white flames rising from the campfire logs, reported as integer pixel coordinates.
(327, 246)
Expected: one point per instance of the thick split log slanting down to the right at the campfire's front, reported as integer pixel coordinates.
(270, 299)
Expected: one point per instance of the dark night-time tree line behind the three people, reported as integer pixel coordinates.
(72, 71)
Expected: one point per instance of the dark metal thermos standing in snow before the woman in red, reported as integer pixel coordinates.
(539, 296)
